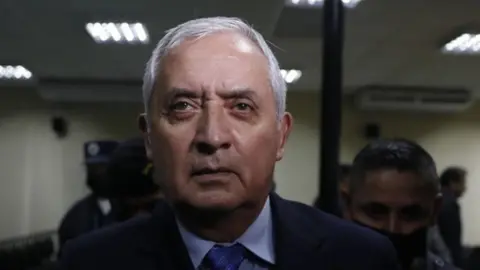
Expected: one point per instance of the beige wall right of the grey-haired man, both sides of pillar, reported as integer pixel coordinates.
(450, 138)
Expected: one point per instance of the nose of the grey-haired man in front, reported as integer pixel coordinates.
(213, 132)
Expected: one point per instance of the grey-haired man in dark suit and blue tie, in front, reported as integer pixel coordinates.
(215, 126)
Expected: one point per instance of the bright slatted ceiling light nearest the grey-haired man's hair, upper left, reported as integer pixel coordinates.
(126, 33)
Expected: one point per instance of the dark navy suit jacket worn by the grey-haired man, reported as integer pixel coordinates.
(305, 239)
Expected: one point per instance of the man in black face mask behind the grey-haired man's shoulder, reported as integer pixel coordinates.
(394, 189)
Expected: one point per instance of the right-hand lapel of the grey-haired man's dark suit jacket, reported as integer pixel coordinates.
(297, 241)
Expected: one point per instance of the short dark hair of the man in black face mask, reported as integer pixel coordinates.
(399, 154)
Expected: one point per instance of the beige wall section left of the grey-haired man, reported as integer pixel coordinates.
(41, 175)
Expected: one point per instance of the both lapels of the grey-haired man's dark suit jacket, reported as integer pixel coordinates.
(297, 239)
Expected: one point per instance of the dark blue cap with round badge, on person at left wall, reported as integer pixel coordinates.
(99, 151)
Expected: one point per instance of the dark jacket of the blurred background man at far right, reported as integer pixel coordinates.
(450, 227)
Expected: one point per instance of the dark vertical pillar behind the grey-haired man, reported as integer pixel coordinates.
(331, 104)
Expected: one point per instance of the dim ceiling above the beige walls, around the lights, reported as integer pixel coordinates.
(386, 41)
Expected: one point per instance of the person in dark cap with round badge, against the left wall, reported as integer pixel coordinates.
(95, 210)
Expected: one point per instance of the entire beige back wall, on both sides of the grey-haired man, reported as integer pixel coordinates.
(41, 176)
